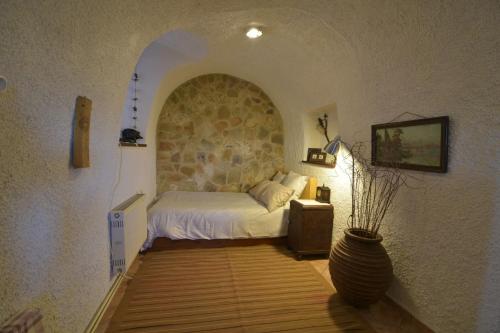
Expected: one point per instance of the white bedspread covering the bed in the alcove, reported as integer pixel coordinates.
(213, 215)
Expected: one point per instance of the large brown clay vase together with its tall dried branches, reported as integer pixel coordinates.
(360, 268)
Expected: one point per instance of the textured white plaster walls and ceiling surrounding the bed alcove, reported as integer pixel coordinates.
(374, 60)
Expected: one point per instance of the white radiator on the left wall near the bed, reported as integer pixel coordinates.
(128, 225)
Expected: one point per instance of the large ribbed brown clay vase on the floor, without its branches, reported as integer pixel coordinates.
(360, 268)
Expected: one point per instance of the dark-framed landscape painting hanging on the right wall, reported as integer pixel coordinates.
(416, 144)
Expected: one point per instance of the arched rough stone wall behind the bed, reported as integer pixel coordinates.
(217, 133)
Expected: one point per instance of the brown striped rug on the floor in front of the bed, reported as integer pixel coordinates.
(251, 289)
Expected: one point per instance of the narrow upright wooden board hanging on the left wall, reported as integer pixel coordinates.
(81, 129)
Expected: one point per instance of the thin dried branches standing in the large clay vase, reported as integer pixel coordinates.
(373, 190)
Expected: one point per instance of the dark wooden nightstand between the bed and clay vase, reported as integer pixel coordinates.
(310, 227)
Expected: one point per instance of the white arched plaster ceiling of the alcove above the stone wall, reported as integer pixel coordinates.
(298, 60)
